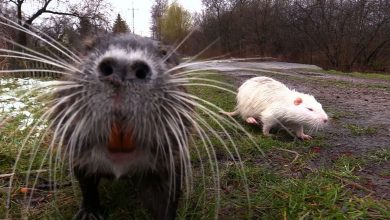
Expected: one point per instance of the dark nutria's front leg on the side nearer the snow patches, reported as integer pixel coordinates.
(90, 208)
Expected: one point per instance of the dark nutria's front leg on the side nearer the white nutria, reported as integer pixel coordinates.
(159, 196)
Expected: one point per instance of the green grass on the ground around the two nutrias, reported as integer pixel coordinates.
(278, 184)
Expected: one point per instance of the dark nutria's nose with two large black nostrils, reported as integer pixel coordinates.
(114, 70)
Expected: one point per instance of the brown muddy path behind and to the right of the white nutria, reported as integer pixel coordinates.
(360, 116)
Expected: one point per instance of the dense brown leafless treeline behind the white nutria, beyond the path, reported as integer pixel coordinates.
(339, 34)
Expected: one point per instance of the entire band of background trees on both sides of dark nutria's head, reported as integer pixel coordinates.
(339, 34)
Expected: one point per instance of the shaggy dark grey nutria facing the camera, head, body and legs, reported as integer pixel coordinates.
(125, 81)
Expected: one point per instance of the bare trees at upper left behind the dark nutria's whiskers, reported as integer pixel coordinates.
(66, 22)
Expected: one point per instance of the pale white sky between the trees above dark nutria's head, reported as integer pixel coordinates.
(142, 12)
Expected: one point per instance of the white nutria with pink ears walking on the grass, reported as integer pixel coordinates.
(275, 104)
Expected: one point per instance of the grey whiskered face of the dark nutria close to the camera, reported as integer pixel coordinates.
(126, 101)
